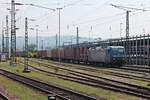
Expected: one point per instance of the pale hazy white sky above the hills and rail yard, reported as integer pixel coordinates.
(95, 18)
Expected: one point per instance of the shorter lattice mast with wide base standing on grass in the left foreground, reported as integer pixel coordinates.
(26, 69)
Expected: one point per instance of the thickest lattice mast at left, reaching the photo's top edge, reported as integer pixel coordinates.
(13, 35)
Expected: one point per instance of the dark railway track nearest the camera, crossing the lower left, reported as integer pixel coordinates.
(61, 93)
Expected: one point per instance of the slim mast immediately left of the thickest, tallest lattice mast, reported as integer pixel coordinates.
(7, 37)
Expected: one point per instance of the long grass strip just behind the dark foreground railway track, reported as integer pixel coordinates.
(71, 85)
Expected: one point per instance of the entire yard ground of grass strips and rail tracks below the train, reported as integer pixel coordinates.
(75, 82)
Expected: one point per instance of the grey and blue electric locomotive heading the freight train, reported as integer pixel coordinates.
(107, 55)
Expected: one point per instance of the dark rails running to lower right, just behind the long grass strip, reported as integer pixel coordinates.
(104, 83)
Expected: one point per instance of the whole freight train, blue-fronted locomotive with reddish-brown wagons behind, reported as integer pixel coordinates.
(110, 55)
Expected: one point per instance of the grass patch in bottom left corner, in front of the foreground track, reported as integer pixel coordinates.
(21, 91)
